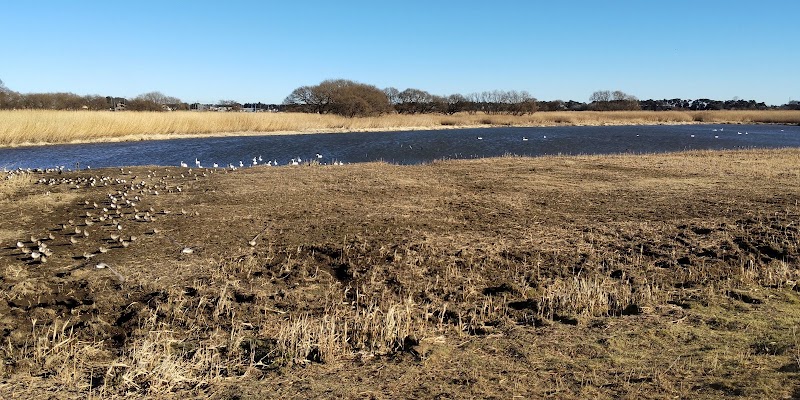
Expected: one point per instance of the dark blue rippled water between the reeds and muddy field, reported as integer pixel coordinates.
(406, 147)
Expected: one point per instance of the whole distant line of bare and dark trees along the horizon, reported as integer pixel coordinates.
(354, 99)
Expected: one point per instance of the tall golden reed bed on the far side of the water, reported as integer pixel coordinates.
(26, 127)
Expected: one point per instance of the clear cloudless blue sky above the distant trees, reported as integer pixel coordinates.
(257, 50)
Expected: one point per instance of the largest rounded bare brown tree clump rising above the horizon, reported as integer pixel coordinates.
(339, 96)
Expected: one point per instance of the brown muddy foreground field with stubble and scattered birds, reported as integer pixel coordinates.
(671, 275)
